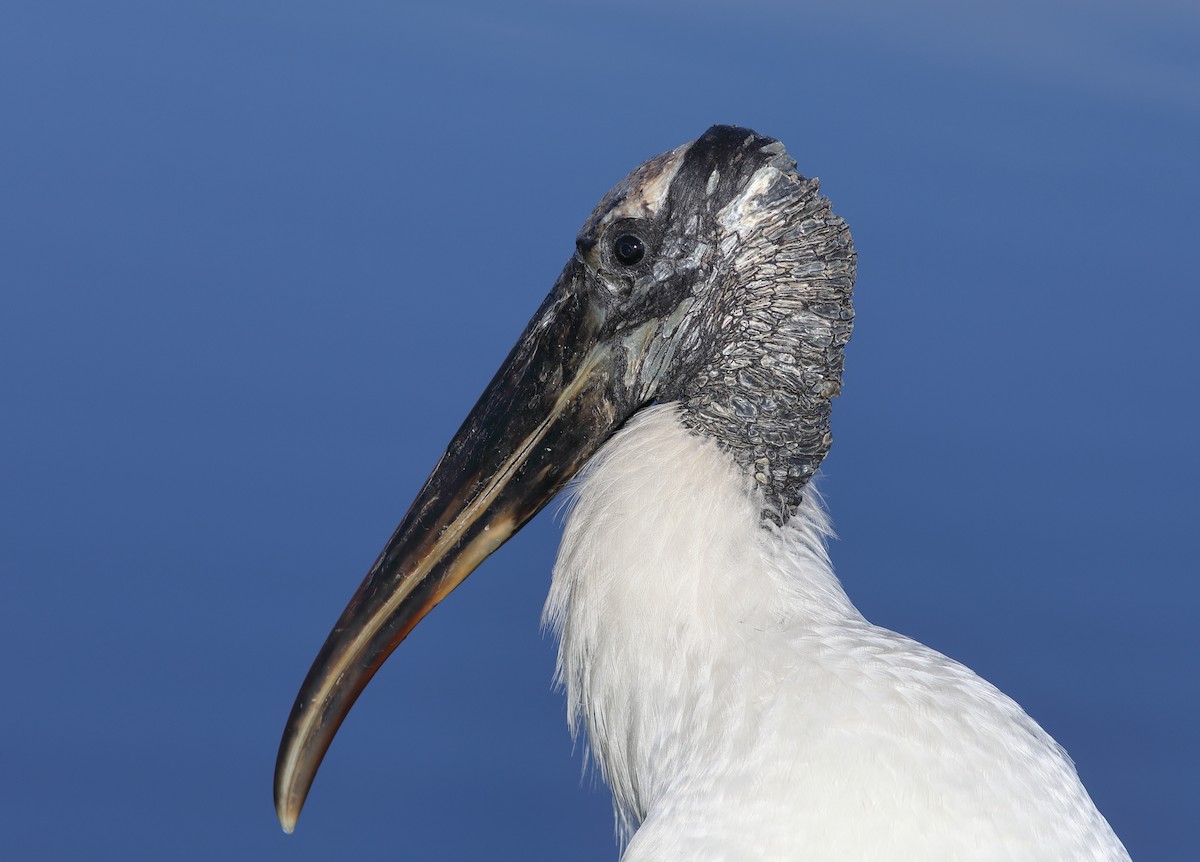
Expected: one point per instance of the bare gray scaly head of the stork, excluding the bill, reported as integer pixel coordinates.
(757, 355)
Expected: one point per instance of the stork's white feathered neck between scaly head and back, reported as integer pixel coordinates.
(670, 589)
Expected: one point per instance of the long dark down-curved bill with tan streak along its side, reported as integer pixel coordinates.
(547, 411)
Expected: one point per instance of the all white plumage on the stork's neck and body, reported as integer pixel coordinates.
(740, 705)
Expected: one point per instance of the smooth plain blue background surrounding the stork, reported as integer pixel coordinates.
(259, 260)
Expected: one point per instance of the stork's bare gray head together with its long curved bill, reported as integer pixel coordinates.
(739, 310)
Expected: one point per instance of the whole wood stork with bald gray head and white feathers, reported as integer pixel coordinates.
(737, 703)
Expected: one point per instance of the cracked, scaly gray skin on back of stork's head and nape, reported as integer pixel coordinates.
(787, 314)
